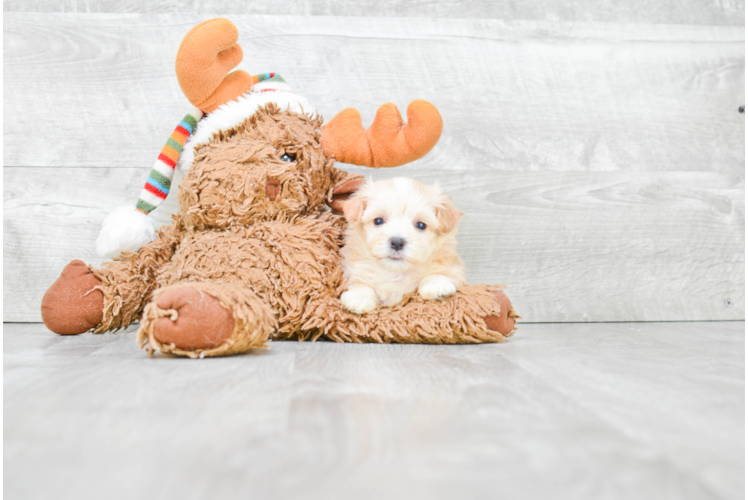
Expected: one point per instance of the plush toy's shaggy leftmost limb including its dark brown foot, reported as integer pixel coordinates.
(111, 297)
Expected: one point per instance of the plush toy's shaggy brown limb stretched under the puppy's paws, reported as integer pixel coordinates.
(475, 314)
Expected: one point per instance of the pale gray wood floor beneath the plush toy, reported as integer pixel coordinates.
(626, 410)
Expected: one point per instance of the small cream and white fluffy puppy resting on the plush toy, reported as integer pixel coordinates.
(401, 237)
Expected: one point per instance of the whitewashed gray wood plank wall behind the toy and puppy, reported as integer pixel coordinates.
(595, 147)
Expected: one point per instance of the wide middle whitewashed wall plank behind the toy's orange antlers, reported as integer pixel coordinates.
(99, 90)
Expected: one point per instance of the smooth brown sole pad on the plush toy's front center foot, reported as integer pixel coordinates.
(200, 322)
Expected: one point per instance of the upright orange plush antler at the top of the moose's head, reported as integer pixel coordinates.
(207, 53)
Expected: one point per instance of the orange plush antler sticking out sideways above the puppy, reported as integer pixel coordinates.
(387, 143)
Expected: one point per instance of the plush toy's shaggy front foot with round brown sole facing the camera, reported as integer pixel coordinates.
(205, 319)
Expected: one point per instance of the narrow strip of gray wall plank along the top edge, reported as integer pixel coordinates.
(699, 12)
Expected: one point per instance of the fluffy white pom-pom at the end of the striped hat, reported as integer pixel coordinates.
(124, 230)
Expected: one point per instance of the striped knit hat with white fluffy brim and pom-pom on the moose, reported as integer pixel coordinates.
(128, 228)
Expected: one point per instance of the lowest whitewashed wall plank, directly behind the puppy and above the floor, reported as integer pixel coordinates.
(573, 246)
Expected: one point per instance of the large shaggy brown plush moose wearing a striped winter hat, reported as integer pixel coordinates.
(254, 254)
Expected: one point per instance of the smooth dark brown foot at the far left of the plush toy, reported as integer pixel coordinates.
(71, 305)
